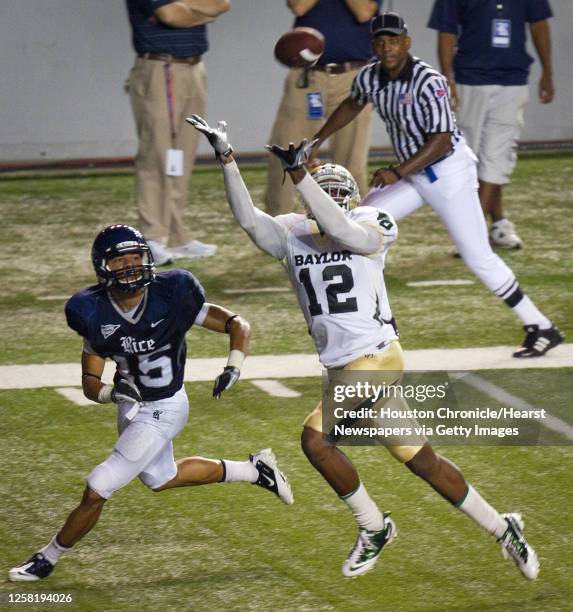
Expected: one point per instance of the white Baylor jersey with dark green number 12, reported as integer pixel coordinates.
(327, 276)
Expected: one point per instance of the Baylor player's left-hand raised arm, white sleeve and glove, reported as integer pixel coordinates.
(265, 231)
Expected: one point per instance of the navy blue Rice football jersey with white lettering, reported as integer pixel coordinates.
(149, 347)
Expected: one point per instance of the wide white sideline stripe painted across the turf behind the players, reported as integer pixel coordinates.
(294, 366)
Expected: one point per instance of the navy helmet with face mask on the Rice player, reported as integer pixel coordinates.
(116, 240)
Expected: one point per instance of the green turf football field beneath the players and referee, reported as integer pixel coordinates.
(235, 547)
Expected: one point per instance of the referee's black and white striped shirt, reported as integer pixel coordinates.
(414, 106)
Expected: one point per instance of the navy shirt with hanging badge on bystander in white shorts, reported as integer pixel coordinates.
(477, 60)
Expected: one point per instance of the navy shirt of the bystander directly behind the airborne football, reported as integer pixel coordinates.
(346, 39)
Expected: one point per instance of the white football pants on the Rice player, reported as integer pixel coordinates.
(144, 447)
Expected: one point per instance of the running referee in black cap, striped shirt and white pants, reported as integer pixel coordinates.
(436, 165)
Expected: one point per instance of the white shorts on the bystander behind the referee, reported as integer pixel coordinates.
(491, 118)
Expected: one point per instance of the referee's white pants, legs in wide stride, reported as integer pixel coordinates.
(454, 197)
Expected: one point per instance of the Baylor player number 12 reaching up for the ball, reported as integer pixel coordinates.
(335, 260)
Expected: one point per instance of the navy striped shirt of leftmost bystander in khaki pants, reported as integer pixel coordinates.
(155, 37)
